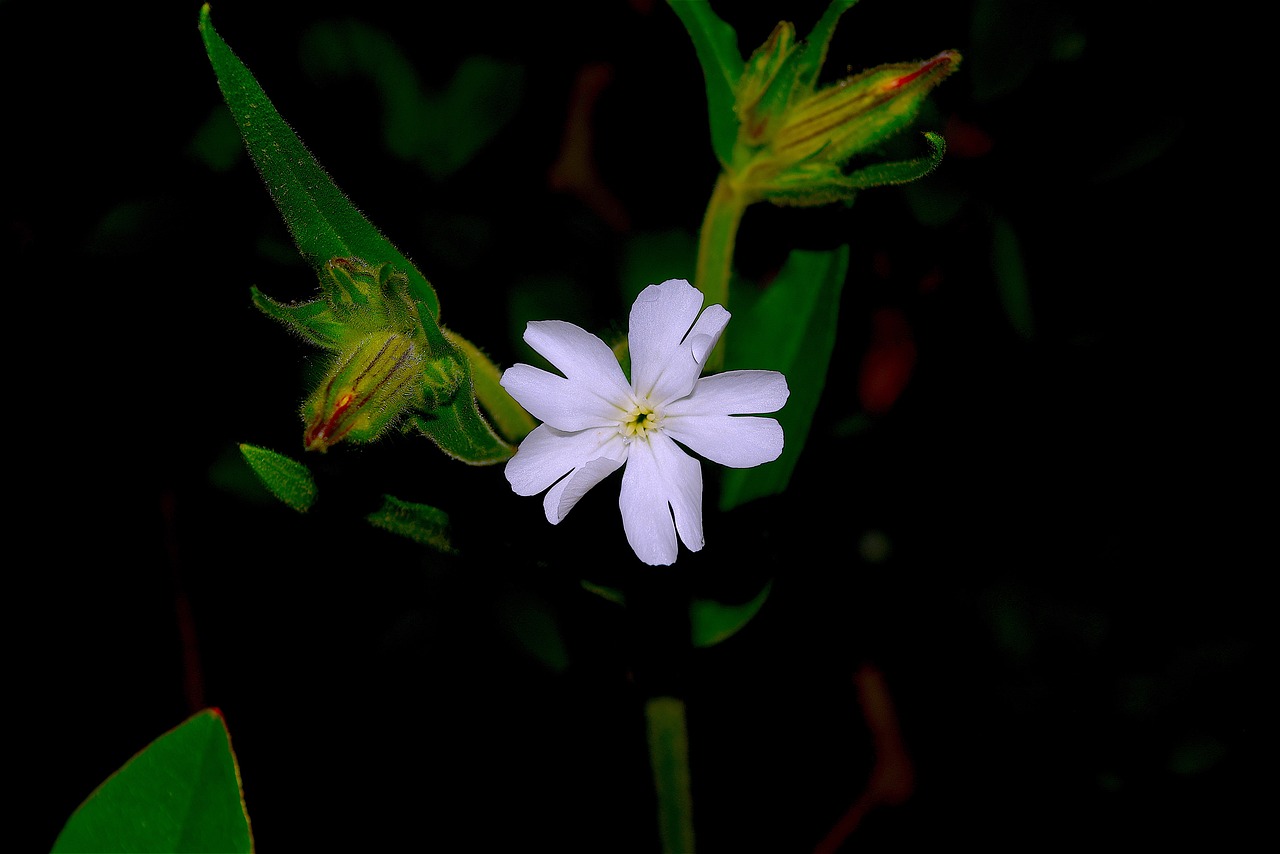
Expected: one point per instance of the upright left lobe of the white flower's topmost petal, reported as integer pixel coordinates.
(661, 318)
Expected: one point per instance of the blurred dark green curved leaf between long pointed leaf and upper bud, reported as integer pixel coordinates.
(440, 133)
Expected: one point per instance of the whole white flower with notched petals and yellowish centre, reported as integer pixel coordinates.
(595, 422)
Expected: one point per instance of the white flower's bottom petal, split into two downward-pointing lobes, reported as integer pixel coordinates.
(661, 479)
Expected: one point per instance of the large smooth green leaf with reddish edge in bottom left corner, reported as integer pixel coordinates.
(181, 793)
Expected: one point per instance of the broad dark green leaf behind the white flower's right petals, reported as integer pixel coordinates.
(790, 328)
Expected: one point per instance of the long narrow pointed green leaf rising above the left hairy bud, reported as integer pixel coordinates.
(321, 218)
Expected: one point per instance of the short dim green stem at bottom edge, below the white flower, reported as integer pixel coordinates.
(669, 757)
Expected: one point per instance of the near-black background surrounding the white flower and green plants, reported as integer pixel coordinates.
(1036, 541)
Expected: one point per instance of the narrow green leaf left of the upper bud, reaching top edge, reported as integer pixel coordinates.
(716, 44)
